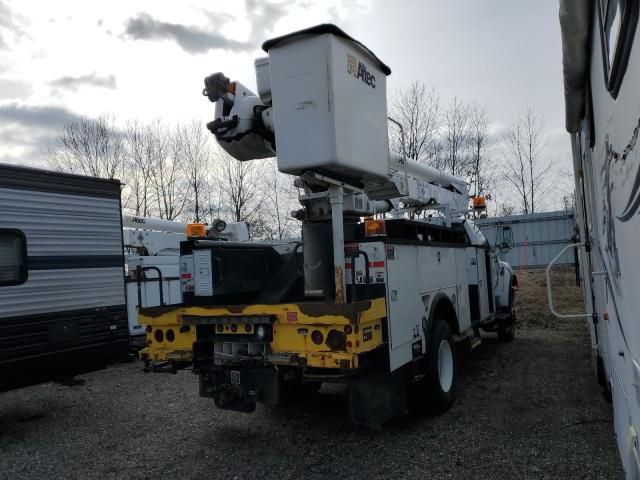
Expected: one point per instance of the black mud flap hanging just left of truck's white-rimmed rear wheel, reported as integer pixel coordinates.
(376, 397)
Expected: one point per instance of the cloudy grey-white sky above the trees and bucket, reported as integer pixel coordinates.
(147, 59)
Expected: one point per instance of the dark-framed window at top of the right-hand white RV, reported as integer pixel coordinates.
(618, 20)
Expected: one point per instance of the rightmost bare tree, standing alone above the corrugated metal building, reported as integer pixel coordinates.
(525, 170)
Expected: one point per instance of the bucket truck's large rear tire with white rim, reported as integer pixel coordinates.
(441, 388)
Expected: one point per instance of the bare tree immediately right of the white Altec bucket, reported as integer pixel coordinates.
(417, 110)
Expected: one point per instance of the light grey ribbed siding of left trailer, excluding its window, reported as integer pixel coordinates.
(63, 227)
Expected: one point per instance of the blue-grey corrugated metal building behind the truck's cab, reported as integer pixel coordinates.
(537, 238)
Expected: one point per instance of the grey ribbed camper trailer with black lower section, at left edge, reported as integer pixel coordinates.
(62, 296)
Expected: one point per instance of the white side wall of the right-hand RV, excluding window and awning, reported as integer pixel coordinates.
(610, 179)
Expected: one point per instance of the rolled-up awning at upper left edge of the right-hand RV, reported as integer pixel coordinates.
(575, 27)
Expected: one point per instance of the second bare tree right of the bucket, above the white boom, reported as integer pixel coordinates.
(456, 138)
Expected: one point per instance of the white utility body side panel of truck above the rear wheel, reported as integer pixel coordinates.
(416, 277)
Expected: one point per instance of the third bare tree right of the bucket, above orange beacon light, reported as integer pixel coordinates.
(481, 173)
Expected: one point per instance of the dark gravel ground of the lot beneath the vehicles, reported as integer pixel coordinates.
(529, 409)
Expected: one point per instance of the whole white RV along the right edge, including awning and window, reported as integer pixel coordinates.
(601, 59)
